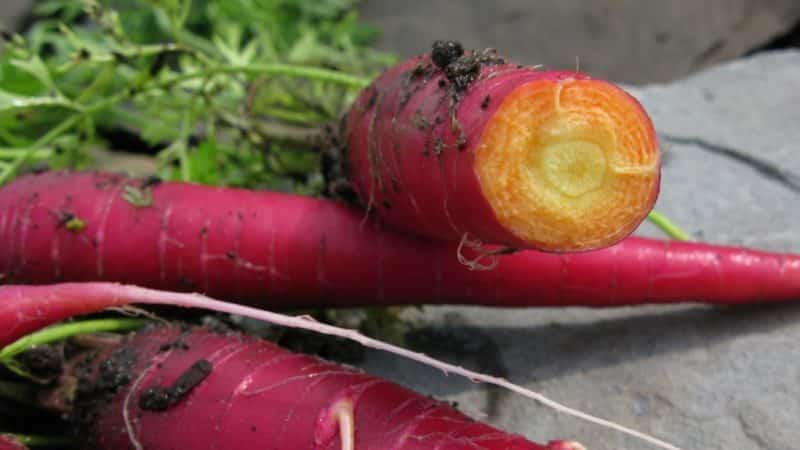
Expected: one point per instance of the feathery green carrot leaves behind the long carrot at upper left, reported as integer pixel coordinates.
(207, 81)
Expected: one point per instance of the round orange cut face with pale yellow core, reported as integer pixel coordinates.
(570, 164)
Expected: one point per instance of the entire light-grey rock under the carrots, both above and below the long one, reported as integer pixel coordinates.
(702, 378)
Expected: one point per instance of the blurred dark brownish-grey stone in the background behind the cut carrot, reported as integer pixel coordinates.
(633, 41)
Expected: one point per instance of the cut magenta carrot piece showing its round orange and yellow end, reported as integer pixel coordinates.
(478, 146)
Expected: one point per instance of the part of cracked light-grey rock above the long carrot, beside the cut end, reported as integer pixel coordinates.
(730, 135)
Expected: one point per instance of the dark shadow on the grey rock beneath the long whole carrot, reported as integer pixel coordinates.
(550, 351)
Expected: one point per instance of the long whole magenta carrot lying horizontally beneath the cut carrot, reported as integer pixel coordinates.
(282, 251)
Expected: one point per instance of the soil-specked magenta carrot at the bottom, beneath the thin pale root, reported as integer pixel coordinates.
(259, 395)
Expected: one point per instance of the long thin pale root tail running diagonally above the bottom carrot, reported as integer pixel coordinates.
(137, 294)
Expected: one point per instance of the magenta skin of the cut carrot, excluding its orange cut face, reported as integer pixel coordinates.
(422, 180)
